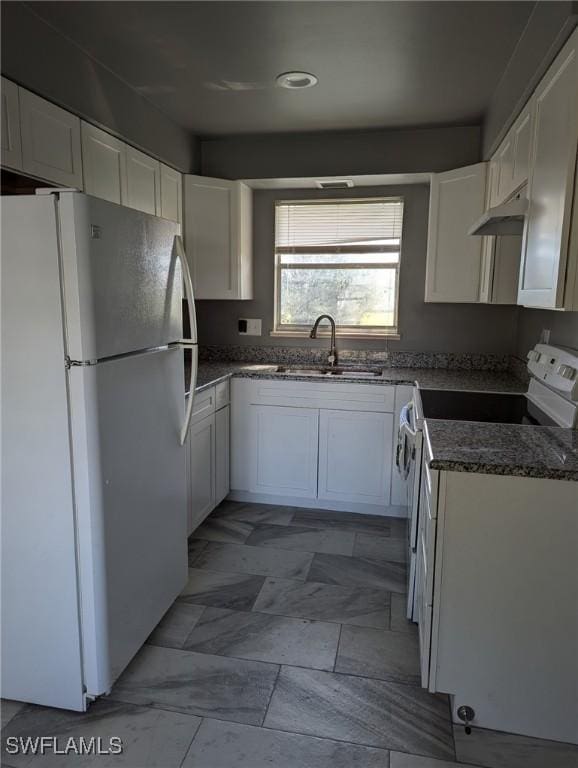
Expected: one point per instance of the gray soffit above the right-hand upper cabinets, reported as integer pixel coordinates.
(547, 29)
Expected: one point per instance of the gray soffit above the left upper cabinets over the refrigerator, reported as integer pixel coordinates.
(44, 61)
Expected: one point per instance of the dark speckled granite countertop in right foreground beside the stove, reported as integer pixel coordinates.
(503, 449)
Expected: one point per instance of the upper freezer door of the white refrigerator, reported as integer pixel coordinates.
(122, 278)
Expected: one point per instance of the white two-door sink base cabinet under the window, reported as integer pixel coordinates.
(324, 445)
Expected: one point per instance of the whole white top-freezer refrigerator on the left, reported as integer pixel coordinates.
(93, 420)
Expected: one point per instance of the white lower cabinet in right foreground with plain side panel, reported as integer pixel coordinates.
(487, 556)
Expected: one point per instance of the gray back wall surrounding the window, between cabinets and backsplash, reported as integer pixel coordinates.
(423, 327)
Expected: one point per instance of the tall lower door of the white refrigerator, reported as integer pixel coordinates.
(130, 483)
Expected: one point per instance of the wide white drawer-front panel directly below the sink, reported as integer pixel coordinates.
(334, 396)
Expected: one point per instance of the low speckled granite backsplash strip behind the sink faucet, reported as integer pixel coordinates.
(391, 359)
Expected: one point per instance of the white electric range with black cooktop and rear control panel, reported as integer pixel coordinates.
(551, 399)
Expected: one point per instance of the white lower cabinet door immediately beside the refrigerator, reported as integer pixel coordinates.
(201, 470)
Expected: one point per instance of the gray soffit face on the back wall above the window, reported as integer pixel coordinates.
(332, 153)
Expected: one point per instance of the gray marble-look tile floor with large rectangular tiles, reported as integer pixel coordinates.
(288, 648)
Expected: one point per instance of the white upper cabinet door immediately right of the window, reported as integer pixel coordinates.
(453, 266)
